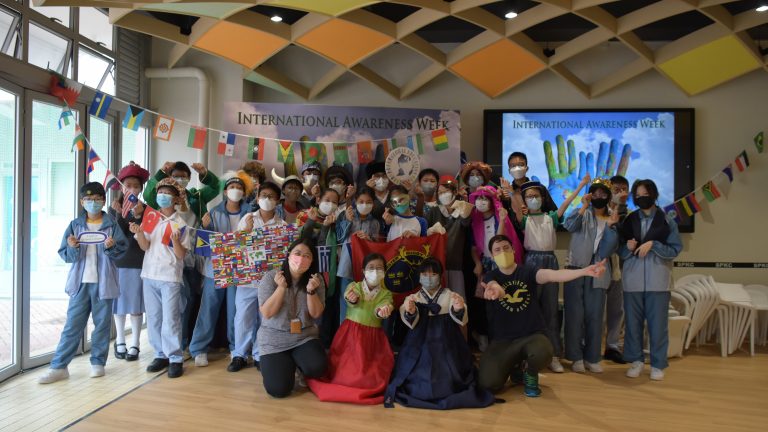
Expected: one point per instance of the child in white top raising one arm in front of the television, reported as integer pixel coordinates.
(539, 218)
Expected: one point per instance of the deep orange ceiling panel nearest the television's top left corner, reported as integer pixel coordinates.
(497, 67)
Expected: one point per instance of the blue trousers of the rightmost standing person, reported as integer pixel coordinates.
(650, 306)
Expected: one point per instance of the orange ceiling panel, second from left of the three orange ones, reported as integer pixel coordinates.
(343, 41)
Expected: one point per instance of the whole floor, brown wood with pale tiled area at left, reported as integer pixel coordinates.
(702, 392)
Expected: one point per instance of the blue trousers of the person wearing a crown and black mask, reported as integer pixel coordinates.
(583, 320)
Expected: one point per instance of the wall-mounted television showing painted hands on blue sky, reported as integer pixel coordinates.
(563, 145)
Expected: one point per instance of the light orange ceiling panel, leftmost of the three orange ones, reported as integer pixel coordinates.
(244, 45)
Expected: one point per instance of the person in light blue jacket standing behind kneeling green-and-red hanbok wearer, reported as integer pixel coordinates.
(355, 221)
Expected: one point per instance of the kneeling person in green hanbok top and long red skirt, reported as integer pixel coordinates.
(360, 359)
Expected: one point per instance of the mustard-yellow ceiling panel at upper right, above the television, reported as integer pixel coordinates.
(709, 65)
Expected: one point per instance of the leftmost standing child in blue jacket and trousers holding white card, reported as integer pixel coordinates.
(92, 284)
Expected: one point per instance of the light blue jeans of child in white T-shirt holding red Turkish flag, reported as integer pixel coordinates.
(164, 303)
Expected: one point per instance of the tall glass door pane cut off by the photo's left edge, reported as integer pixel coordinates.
(8, 135)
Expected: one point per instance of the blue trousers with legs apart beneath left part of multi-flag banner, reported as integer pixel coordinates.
(210, 305)
